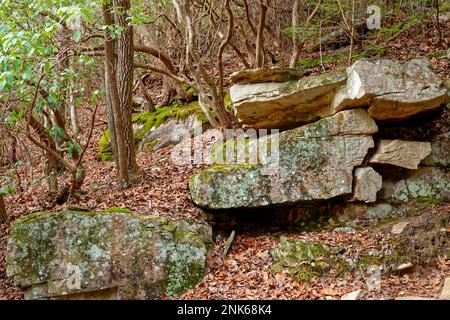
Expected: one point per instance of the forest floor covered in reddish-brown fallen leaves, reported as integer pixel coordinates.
(245, 273)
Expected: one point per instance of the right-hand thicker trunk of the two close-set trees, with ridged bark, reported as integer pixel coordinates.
(125, 54)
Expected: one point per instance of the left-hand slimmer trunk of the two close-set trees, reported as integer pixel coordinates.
(111, 85)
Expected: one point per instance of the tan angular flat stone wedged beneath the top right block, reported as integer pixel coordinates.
(405, 154)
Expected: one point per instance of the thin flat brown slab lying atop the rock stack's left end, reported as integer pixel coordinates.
(272, 74)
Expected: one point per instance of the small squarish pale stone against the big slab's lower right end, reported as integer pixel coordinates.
(367, 183)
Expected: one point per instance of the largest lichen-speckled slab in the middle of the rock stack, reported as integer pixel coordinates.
(314, 162)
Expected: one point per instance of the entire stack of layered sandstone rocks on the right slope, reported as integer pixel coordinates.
(326, 148)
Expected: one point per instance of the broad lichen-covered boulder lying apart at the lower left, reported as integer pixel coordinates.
(117, 255)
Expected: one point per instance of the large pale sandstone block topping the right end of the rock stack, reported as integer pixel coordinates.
(393, 90)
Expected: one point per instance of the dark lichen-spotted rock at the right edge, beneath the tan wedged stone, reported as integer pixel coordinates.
(424, 183)
